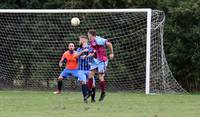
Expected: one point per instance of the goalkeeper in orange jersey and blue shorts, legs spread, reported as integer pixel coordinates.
(71, 57)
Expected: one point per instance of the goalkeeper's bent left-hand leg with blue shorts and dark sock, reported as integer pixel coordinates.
(63, 74)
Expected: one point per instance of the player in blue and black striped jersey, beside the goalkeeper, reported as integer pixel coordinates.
(84, 66)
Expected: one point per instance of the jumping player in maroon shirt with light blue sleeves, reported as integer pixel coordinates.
(100, 61)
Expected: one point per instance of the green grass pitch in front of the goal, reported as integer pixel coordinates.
(118, 104)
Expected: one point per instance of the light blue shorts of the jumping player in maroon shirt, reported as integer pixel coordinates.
(99, 65)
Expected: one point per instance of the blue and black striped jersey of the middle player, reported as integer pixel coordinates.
(84, 63)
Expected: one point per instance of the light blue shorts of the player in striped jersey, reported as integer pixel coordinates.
(84, 75)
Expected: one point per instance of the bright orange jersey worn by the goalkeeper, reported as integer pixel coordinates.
(71, 59)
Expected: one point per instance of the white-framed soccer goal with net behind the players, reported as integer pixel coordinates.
(32, 42)
